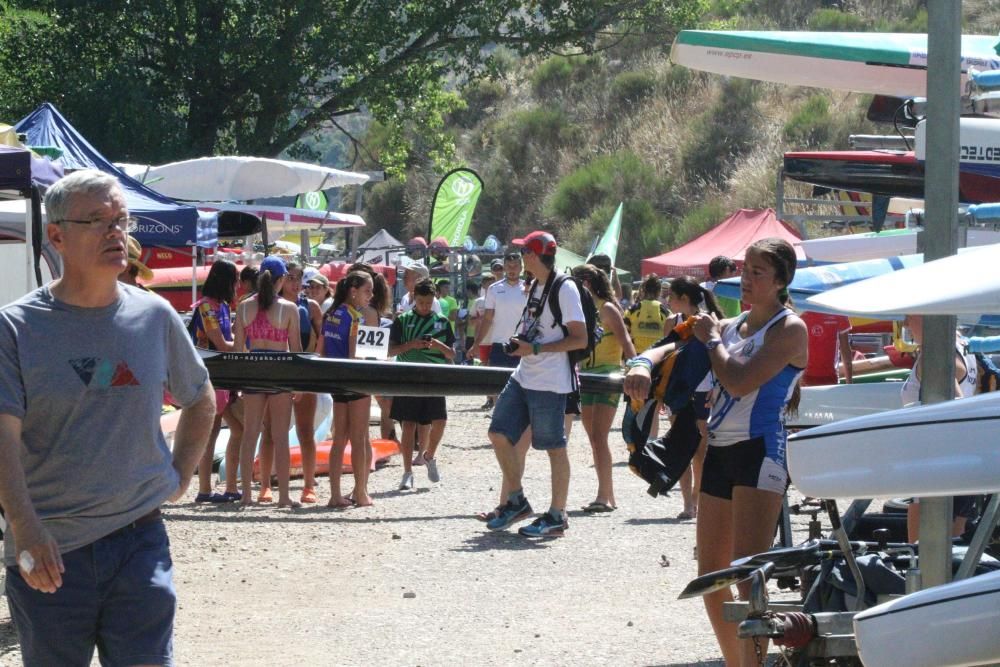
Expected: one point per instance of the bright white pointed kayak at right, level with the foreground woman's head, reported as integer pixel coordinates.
(963, 284)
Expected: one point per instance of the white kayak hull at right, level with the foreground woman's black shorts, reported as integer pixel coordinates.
(944, 449)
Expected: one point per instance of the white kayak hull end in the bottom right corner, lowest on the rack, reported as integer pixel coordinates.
(953, 625)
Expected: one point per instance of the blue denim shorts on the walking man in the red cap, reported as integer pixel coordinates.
(517, 408)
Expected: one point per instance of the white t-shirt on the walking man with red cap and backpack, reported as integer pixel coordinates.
(550, 371)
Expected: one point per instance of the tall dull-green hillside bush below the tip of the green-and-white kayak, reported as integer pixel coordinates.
(720, 135)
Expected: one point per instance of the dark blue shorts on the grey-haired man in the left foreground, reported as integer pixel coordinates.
(117, 594)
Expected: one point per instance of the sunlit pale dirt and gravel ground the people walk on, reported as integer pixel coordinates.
(417, 580)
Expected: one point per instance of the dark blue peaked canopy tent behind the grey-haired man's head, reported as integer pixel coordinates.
(162, 221)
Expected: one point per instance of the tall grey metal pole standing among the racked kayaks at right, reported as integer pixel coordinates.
(944, 18)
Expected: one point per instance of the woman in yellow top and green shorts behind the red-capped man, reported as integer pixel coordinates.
(598, 410)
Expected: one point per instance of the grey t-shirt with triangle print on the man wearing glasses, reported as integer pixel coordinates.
(88, 385)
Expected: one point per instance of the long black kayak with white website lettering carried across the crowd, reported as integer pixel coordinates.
(307, 372)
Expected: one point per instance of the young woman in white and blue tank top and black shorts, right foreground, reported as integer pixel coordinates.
(757, 359)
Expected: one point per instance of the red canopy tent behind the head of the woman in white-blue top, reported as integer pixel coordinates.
(731, 238)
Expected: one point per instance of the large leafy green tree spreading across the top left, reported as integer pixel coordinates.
(154, 80)
